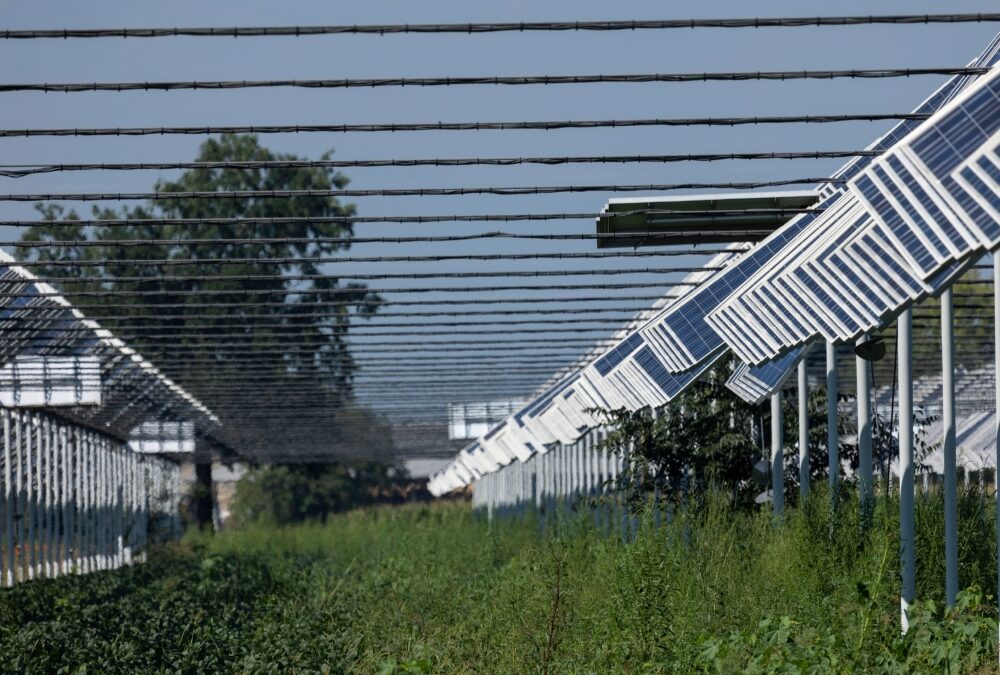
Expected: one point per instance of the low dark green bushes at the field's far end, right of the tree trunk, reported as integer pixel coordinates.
(294, 493)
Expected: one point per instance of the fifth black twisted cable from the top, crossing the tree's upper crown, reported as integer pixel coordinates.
(407, 192)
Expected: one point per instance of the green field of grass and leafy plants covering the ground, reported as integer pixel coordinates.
(434, 589)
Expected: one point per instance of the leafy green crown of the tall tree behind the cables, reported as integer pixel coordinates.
(278, 263)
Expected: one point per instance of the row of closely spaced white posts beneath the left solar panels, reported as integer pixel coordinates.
(74, 500)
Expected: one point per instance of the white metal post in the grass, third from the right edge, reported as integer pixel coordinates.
(907, 540)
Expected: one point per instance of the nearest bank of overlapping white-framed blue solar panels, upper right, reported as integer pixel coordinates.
(925, 205)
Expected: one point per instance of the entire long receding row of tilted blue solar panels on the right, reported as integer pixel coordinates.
(893, 230)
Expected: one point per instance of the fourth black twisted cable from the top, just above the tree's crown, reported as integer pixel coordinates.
(30, 169)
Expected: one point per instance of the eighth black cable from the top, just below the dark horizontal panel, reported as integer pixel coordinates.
(290, 260)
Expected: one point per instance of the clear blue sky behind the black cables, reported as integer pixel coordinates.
(442, 55)
